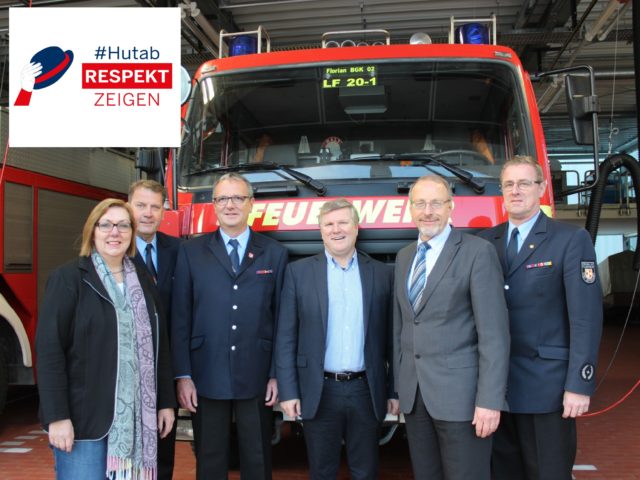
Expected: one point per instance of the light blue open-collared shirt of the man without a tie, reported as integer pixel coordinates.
(345, 324)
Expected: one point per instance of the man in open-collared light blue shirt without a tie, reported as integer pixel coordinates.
(333, 348)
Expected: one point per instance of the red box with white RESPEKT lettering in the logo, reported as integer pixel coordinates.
(126, 75)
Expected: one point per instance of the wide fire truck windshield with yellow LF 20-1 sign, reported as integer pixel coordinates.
(356, 121)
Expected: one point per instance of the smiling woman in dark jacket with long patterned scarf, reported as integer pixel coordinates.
(104, 376)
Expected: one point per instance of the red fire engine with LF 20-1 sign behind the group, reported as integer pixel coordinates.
(360, 118)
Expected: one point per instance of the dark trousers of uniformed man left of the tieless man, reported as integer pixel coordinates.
(211, 431)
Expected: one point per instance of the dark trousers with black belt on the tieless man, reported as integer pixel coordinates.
(345, 413)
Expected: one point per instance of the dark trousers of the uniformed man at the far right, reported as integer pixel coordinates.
(534, 447)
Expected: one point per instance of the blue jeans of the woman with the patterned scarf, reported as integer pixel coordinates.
(87, 461)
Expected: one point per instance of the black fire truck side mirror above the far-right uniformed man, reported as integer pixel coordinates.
(582, 103)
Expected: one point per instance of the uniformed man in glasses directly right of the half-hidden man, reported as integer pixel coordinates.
(225, 303)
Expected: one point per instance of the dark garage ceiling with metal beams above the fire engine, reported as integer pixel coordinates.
(545, 33)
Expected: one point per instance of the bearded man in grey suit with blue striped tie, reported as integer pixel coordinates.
(451, 341)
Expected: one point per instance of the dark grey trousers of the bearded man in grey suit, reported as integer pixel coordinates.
(442, 450)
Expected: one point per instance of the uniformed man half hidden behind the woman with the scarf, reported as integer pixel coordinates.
(157, 252)
